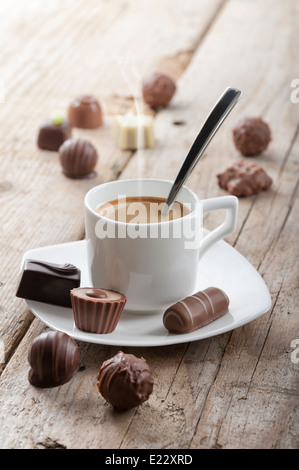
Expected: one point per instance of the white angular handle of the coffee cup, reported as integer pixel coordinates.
(230, 203)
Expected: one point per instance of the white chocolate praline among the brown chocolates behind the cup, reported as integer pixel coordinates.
(132, 131)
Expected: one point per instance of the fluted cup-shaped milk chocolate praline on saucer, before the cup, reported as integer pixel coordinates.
(97, 310)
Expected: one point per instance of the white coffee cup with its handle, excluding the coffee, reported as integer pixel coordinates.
(157, 266)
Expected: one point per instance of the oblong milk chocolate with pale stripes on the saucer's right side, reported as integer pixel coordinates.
(195, 311)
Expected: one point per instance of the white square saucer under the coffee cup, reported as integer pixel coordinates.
(222, 266)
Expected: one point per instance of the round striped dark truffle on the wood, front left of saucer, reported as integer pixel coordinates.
(53, 357)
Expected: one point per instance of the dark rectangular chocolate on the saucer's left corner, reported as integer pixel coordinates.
(48, 282)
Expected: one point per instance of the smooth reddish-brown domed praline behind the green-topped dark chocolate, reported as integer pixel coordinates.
(85, 112)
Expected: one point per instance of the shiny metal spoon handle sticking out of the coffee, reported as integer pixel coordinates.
(218, 114)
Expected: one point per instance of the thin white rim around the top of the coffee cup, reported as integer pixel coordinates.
(117, 222)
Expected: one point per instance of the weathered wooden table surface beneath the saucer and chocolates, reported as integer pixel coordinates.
(235, 390)
